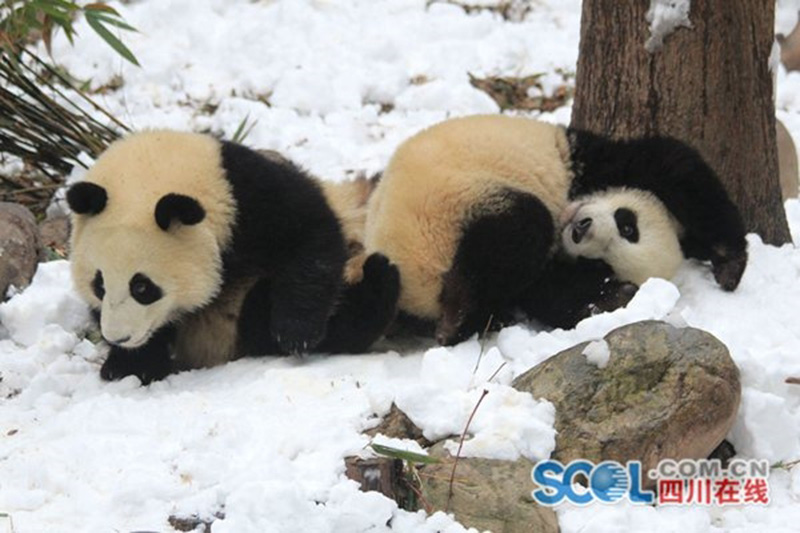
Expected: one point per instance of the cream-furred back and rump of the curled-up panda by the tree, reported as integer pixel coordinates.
(447, 175)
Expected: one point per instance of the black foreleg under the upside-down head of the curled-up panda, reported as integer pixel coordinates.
(570, 290)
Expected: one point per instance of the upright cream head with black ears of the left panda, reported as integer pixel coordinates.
(143, 248)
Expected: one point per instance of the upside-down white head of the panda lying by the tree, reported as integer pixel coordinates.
(629, 229)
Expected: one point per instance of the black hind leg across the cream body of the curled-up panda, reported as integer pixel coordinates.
(500, 253)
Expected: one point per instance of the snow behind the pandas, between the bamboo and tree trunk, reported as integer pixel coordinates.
(325, 68)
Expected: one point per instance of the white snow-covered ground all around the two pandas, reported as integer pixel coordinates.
(336, 86)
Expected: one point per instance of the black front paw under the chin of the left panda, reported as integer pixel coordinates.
(150, 362)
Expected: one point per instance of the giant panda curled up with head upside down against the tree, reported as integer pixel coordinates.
(483, 214)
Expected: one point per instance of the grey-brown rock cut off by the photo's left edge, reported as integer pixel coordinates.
(19, 247)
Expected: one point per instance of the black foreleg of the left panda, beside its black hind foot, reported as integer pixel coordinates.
(304, 292)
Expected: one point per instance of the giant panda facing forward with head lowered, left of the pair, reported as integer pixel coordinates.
(196, 251)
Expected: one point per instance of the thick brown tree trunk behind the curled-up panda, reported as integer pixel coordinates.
(708, 85)
